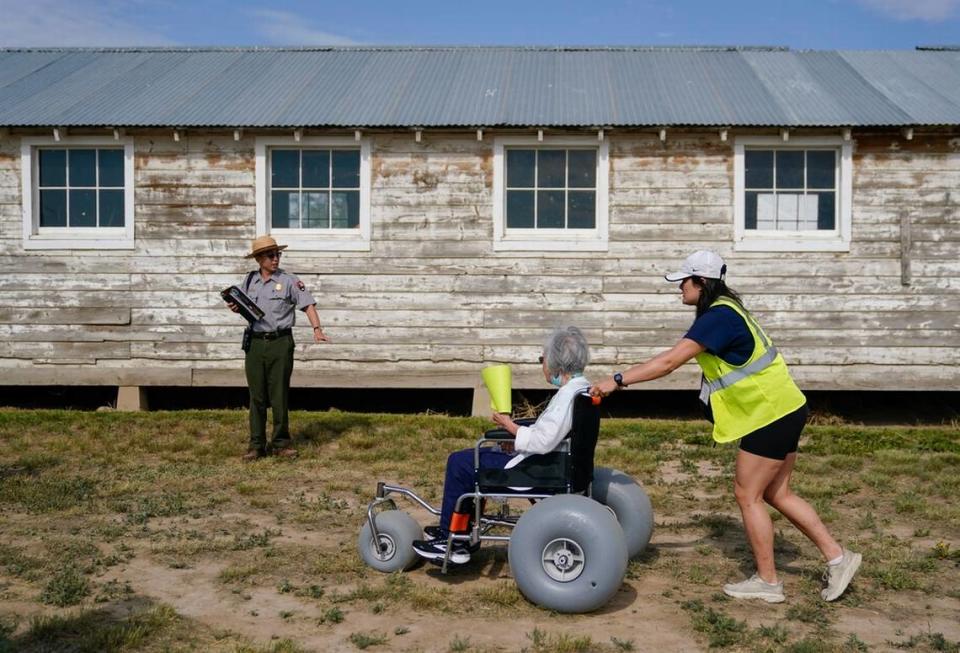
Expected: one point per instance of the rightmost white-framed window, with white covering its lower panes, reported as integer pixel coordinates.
(792, 196)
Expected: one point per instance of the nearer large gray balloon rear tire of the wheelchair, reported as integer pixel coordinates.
(567, 553)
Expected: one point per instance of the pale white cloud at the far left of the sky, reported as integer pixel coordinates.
(70, 23)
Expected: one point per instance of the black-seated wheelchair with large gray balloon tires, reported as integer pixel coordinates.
(568, 552)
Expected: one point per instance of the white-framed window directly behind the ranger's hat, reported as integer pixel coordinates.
(315, 190)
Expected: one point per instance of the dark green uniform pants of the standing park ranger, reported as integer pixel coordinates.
(269, 364)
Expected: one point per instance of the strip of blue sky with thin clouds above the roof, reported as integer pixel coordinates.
(798, 24)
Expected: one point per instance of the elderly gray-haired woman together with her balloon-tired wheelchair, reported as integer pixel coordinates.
(569, 550)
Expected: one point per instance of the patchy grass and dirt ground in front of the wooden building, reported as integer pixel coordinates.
(95, 504)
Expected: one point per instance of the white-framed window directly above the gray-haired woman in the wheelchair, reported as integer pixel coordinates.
(550, 194)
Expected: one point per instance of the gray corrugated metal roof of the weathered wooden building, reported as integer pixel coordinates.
(477, 86)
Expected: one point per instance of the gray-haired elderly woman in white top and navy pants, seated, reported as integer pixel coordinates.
(565, 355)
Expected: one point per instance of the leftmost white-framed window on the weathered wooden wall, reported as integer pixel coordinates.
(78, 193)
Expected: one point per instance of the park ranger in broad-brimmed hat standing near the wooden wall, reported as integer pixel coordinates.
(269, 357)
